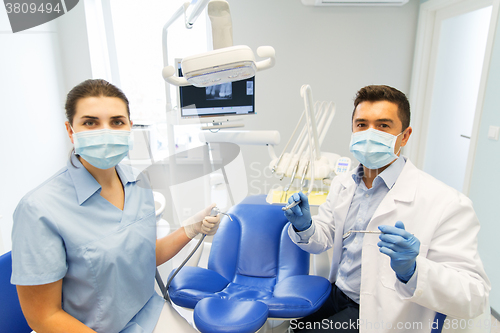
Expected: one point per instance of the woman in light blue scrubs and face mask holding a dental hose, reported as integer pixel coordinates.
(84, 245)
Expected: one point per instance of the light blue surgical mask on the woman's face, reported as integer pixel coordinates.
(102, 148)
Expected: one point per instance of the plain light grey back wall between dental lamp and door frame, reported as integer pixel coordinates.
(336, 50)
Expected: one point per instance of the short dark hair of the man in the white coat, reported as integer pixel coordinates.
(385, 93)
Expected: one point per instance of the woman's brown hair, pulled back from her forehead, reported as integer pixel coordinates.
(92, 88)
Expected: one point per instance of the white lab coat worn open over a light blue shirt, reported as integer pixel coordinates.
(449, 278)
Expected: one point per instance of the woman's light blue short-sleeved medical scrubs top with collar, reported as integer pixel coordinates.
(64, 229)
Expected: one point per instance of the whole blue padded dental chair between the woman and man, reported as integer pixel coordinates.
(255, 272)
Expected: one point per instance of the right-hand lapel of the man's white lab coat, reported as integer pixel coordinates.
(403, 190)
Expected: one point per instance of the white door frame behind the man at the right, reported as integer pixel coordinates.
(424, 69)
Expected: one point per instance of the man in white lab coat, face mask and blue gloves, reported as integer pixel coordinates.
(420, 257)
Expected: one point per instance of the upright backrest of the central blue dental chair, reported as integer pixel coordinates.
(254, 248)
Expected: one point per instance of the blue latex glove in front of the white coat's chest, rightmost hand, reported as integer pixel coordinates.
(402, 247)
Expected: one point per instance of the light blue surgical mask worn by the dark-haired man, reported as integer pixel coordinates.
(374, 149)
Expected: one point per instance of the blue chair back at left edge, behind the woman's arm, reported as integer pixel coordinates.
(11, 316)
